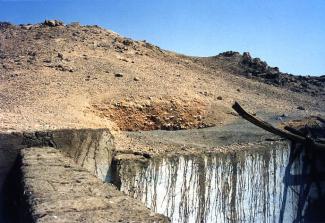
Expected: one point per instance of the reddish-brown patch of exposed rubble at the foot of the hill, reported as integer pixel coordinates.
(155, 114)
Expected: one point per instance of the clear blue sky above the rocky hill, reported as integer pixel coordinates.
(289, 34)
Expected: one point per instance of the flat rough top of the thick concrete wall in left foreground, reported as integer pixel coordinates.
(58, 190)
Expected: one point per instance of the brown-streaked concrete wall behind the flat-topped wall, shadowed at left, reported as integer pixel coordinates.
(90, 148)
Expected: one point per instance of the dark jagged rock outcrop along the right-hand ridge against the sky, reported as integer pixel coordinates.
(255, 68)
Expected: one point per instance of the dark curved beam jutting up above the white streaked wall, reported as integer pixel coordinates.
(268, 127)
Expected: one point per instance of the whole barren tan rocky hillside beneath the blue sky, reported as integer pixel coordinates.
(71, 76)
